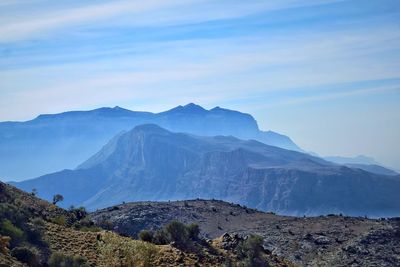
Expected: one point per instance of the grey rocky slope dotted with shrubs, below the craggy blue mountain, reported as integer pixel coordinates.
(332, 240)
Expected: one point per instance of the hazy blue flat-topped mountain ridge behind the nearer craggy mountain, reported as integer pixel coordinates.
(53, 142)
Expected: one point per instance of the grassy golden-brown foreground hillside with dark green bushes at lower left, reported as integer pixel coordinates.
(34, 233)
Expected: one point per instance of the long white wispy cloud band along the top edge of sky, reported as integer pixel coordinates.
(16, 27)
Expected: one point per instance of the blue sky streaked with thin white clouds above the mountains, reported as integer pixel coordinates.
(326, 73)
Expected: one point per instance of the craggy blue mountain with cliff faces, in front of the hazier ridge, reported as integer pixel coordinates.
(152, 163)
